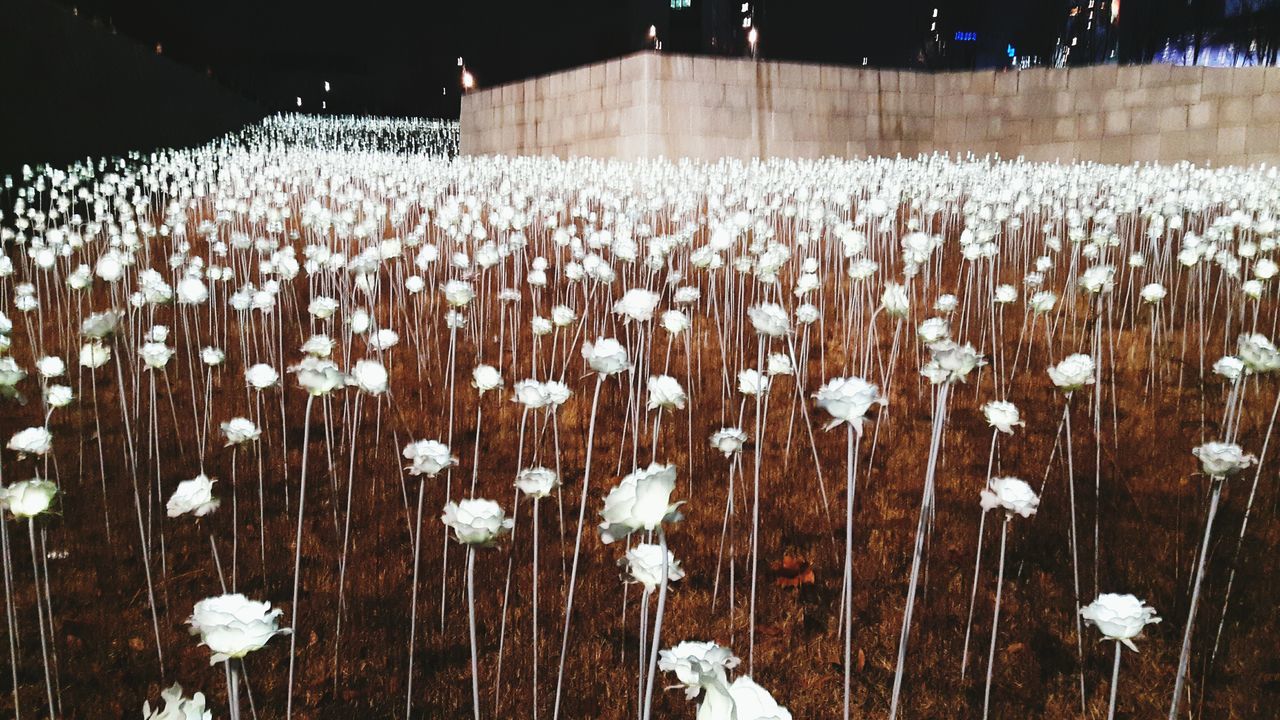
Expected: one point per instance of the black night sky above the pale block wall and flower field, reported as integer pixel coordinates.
(395, 58)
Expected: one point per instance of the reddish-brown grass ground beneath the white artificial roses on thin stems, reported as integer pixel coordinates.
(1150, 517)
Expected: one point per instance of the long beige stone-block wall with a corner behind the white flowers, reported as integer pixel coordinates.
(656, 104)
